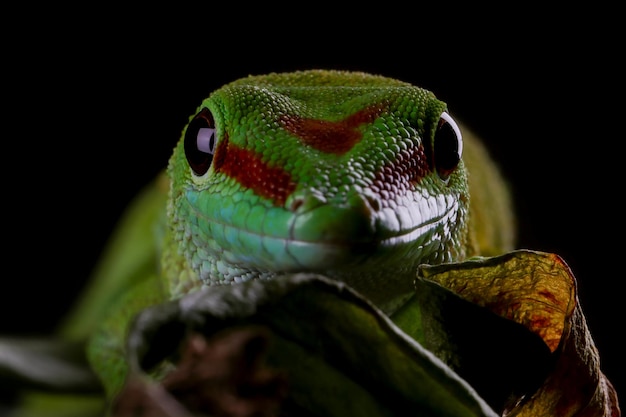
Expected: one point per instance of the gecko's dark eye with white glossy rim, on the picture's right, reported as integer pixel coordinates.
(448, 146)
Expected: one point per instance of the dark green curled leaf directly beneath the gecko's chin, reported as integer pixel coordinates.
(341, 355)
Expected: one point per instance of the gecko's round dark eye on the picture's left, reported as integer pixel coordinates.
(200, 142)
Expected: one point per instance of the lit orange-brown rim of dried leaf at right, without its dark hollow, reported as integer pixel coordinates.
(576, 387)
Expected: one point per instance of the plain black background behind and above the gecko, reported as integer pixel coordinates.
(93, 105)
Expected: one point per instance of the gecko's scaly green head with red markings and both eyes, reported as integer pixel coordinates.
(275, 176)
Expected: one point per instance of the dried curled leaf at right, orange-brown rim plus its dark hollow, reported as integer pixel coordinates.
(534, 290)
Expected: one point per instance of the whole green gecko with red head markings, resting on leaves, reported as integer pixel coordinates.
(355, 176)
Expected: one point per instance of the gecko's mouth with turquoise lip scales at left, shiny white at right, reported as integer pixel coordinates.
(327, 236)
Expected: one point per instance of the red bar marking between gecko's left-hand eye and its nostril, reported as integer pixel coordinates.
(249, 170)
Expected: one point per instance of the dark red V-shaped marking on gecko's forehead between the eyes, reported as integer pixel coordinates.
(331, 137)
